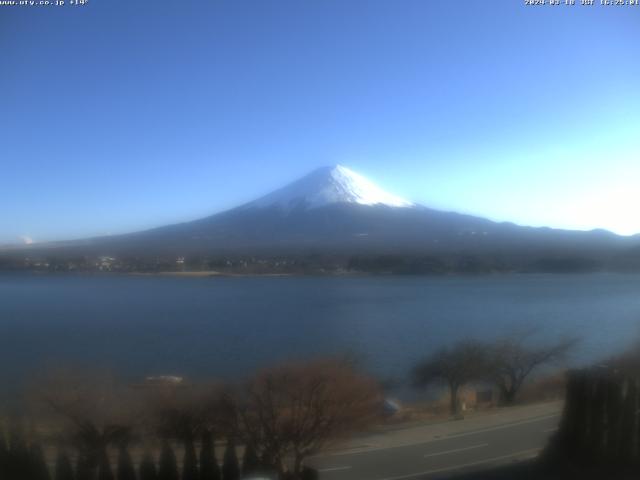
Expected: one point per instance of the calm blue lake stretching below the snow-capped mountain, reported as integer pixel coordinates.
(227, 327)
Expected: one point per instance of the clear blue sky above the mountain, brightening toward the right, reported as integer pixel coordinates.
(122, 115)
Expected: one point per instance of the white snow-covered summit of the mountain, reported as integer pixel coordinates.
(326, 186)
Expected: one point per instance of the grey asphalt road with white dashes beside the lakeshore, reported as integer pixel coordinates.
(454, 448)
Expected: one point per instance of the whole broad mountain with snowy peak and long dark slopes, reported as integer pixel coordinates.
(336, 212)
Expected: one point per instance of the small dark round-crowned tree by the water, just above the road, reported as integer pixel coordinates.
(454, 366)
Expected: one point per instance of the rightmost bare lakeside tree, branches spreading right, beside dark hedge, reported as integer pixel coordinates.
(513, 359)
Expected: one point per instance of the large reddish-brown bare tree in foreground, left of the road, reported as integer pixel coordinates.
(292, 411)
